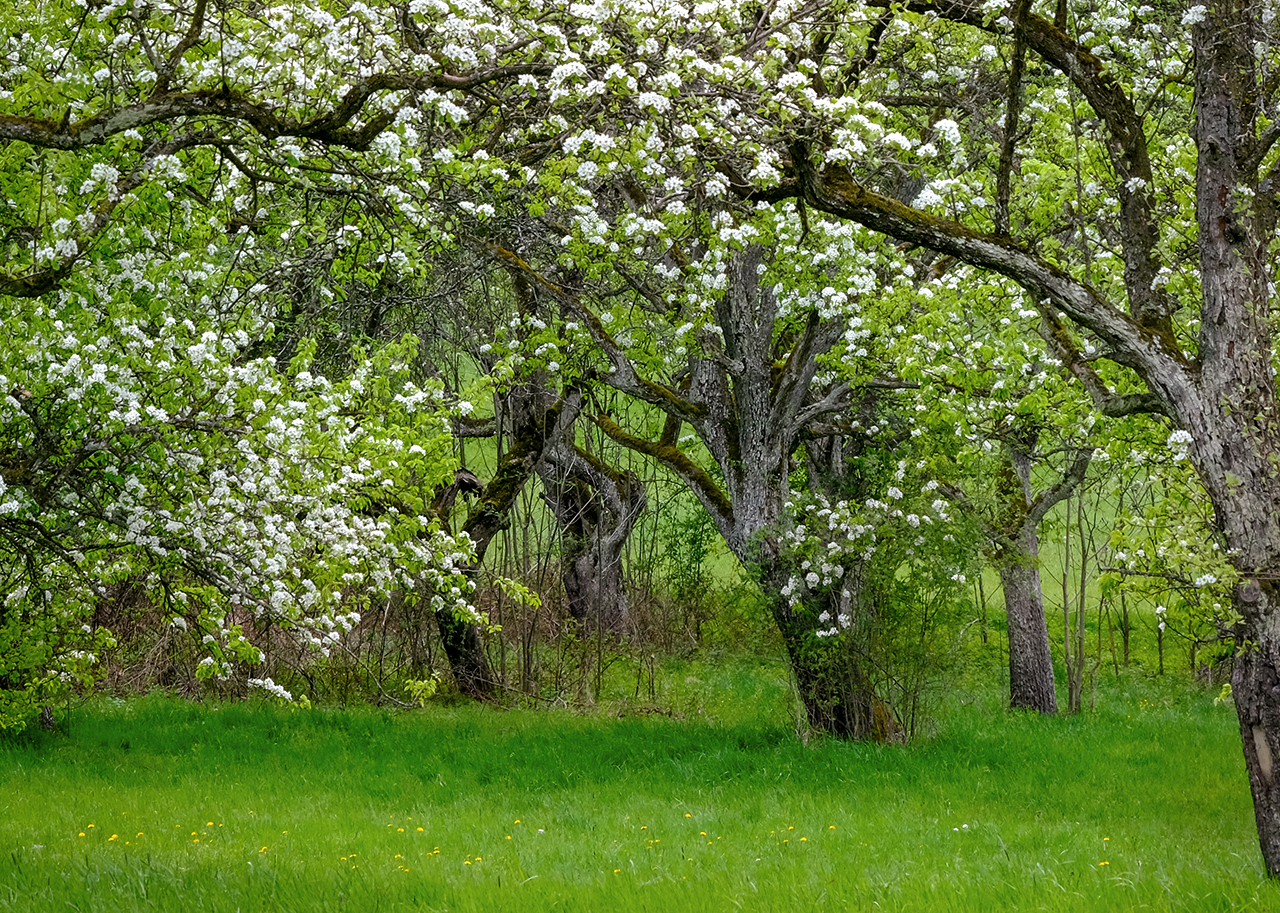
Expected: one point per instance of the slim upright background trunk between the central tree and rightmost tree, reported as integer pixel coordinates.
(1031, 667)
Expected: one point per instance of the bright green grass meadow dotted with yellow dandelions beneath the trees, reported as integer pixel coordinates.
(162, 805)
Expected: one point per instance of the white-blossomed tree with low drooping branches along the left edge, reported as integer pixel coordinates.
(171, 171)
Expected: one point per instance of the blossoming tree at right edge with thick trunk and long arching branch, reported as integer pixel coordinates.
(1169, 112)
